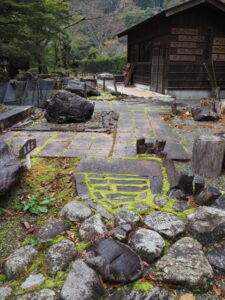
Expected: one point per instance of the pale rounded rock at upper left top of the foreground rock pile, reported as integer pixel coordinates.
(75, 211)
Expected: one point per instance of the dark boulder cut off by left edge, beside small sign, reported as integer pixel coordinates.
(10, 169)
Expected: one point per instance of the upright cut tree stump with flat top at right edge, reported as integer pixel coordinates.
(208, 155)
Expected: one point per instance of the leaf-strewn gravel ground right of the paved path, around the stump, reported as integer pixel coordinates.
(187, 129)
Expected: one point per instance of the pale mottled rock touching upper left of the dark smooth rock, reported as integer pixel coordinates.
(91, 228)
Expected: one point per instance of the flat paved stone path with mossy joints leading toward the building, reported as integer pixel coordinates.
(136, 120)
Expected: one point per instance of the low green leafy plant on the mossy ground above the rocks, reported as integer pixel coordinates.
(35, 205)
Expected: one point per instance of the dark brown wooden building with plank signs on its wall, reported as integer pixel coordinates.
(181, 50)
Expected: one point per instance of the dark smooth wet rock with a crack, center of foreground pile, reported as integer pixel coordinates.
(115, 261)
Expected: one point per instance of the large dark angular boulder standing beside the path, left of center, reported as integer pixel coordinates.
(67, 107)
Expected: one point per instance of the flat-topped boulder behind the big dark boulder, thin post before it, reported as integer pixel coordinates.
(78, 87)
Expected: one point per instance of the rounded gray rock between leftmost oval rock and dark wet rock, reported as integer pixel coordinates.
(59, 256)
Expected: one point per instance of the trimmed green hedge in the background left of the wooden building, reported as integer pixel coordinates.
(115, 64)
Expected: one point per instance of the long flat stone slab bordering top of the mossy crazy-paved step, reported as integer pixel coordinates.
(120, 166)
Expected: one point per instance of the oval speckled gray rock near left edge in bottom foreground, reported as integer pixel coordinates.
(19, 261)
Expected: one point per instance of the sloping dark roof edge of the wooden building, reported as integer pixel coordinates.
(177, 9)
